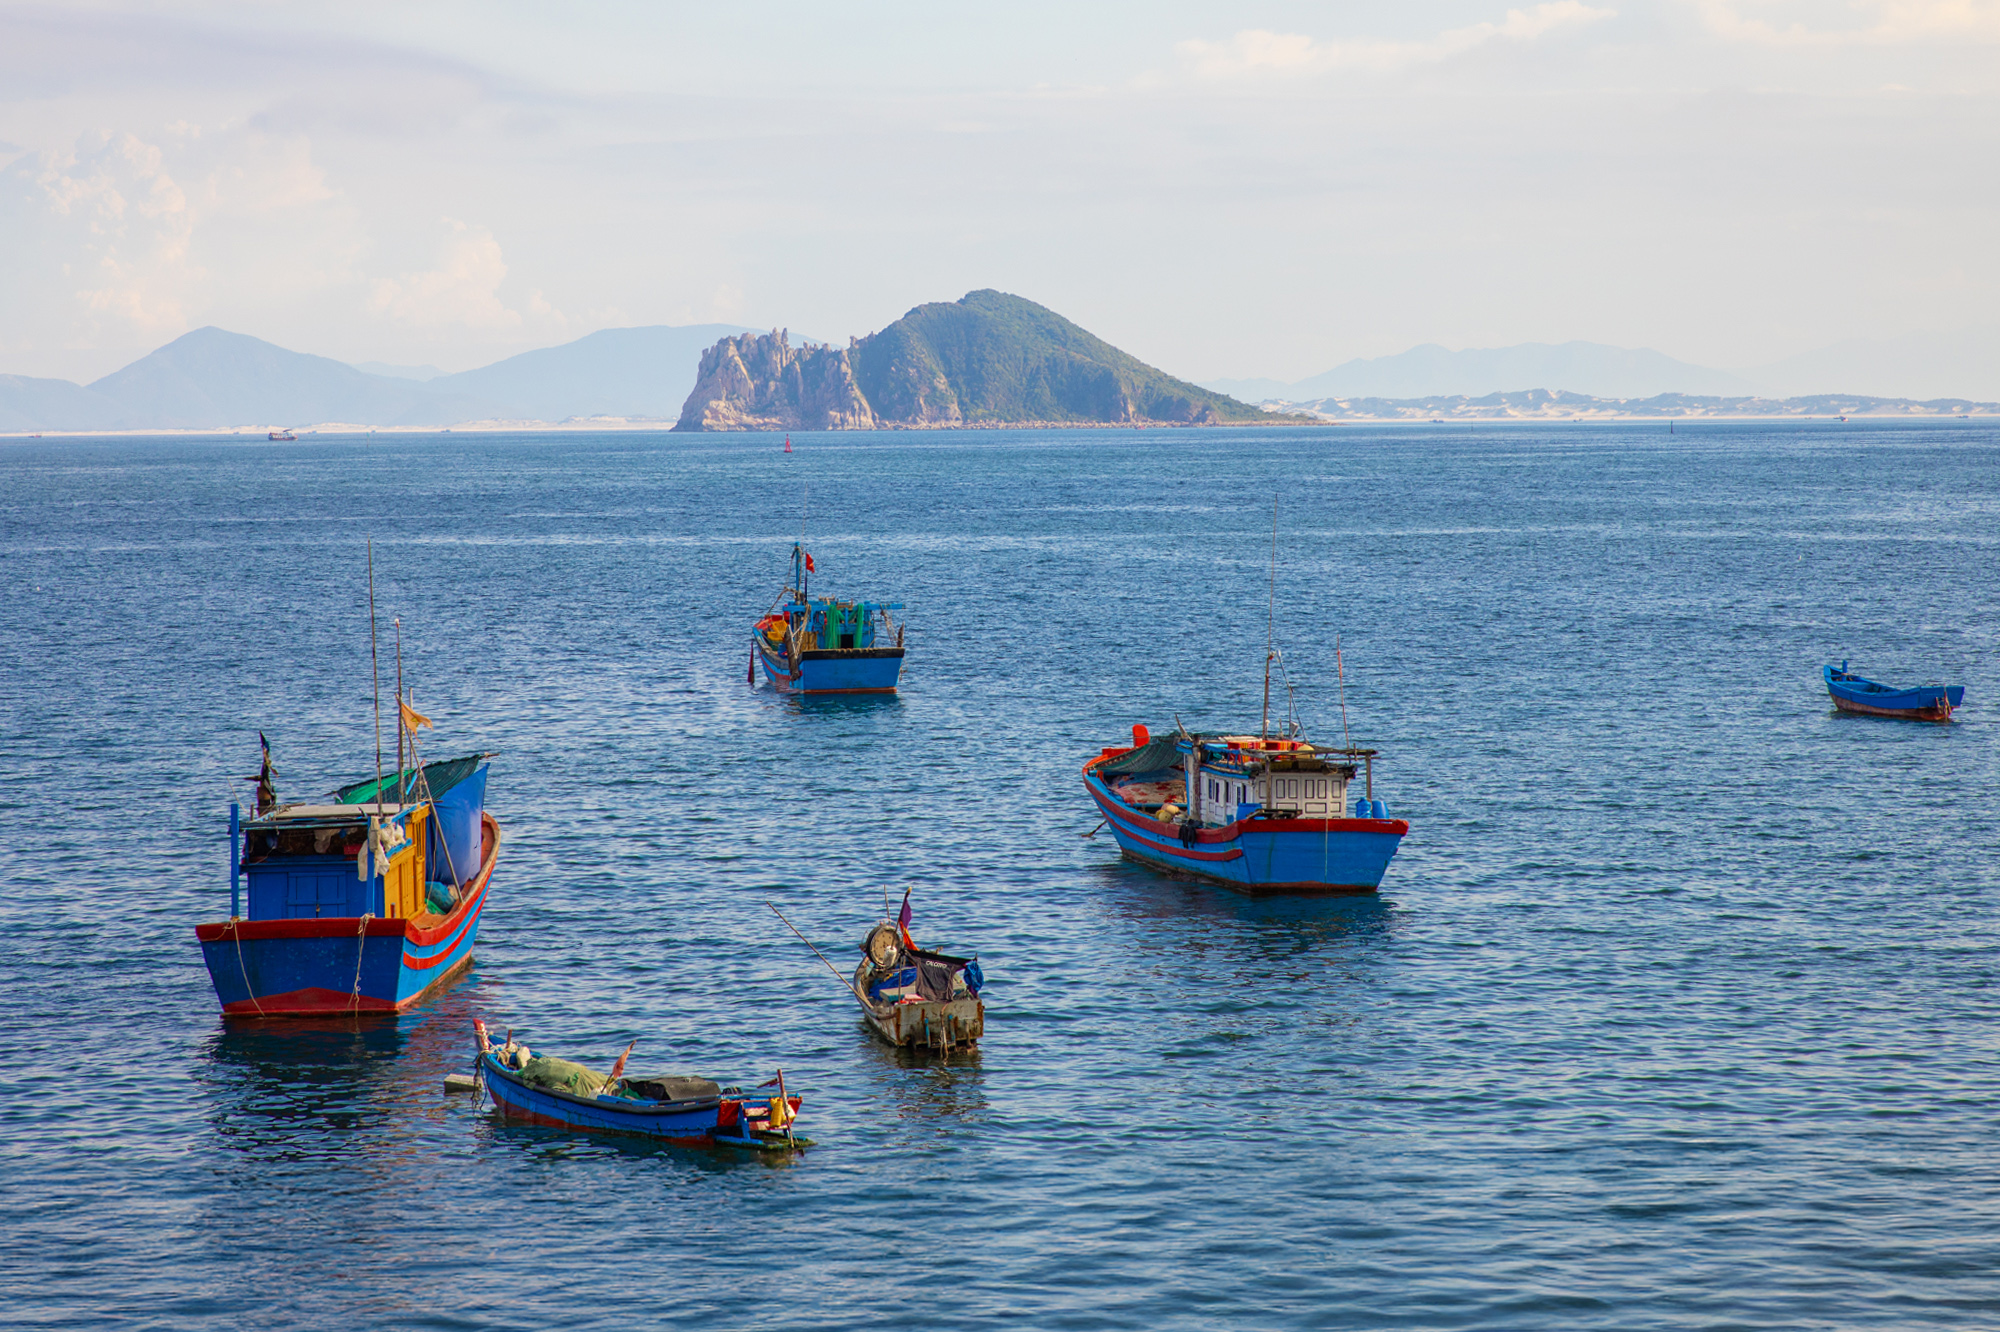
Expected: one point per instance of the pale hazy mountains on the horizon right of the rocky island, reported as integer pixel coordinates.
(1921, 367)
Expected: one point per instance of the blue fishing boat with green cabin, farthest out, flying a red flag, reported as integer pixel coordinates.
(825, 645)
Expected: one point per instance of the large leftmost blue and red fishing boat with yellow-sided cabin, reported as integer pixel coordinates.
(363, 901)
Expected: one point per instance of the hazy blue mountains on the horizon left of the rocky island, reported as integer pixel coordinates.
(215, 379)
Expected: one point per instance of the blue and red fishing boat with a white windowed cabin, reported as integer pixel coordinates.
(1257, 813)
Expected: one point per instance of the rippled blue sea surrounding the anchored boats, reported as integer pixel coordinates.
(1677, 1007)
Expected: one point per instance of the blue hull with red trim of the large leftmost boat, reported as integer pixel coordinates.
(271, 969)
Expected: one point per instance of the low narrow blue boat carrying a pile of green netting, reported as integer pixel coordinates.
(677, 1111)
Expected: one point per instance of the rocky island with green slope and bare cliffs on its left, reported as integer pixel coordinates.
(985, 361)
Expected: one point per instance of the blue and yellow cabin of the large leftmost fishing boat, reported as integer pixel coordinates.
(305, 861)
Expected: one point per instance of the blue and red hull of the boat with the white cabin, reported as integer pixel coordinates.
(1261, 857)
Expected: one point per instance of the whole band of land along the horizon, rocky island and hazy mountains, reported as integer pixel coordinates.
(979, 361)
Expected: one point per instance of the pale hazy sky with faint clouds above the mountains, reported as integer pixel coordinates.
(1253, 189)
